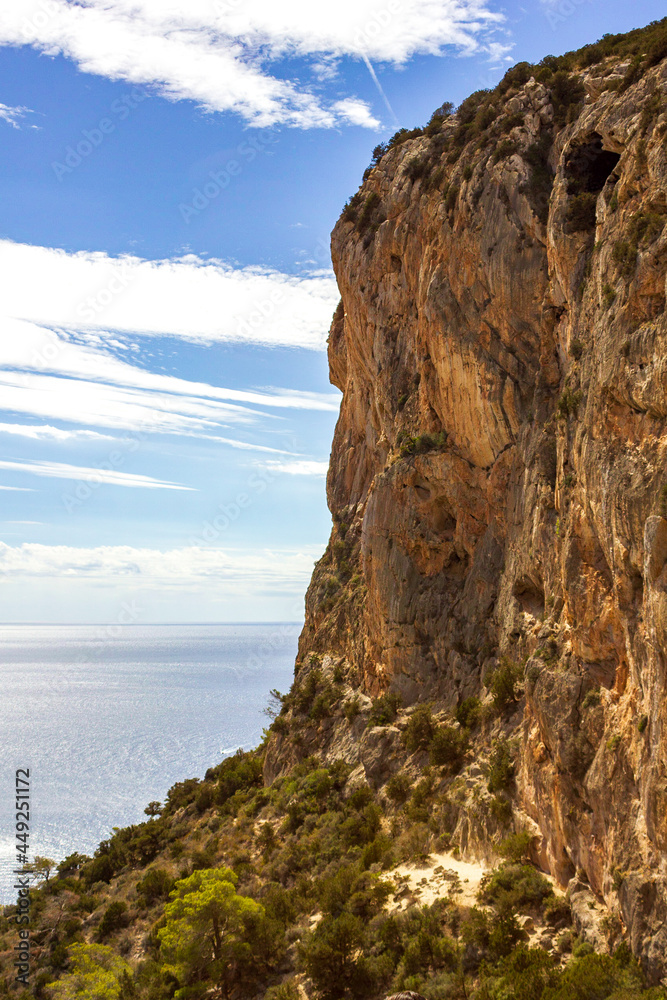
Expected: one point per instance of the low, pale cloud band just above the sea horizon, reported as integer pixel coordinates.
(174, 567)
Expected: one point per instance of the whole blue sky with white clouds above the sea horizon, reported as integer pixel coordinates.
(170, 174)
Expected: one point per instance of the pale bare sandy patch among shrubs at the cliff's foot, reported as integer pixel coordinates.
(441, 875)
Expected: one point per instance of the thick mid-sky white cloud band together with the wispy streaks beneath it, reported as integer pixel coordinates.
(59, 360)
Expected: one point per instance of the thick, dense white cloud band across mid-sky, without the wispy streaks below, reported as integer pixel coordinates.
(201, 301)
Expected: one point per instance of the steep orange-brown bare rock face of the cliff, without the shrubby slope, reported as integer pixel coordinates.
(498, 474)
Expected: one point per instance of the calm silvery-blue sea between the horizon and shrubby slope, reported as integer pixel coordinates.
(108, 718)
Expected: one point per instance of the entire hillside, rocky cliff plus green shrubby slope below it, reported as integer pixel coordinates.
(480, 679)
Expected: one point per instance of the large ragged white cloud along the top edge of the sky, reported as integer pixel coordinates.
(217, 52)
